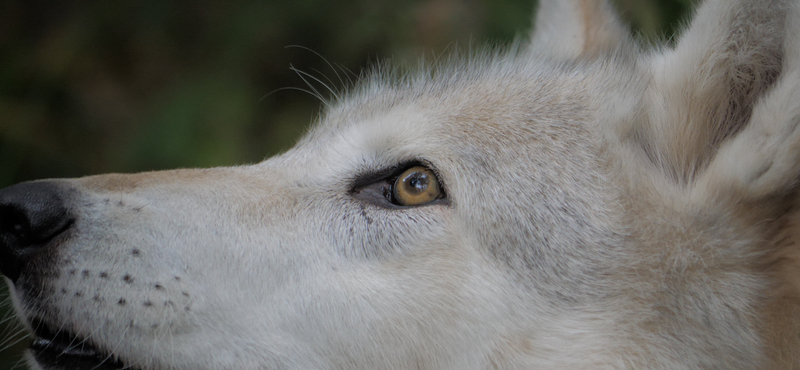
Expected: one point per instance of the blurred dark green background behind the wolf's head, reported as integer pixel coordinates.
(89, 87)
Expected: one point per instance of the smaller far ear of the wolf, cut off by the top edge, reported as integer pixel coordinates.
(569, 29)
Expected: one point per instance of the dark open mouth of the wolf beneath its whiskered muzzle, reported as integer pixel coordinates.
(62, 351)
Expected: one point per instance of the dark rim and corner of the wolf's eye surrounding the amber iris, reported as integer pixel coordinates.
(376, 187)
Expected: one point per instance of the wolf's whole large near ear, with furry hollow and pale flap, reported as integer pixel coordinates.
(723, 106)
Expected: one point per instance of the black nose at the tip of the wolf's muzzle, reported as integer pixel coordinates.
(31, 214)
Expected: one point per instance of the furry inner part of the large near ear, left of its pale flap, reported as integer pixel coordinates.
(705, 90)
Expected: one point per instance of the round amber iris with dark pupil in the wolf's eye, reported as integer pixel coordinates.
(415, 186)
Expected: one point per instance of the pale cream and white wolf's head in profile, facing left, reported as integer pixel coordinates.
(580, 201)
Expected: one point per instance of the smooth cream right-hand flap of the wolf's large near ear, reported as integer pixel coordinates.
(764, 158)
